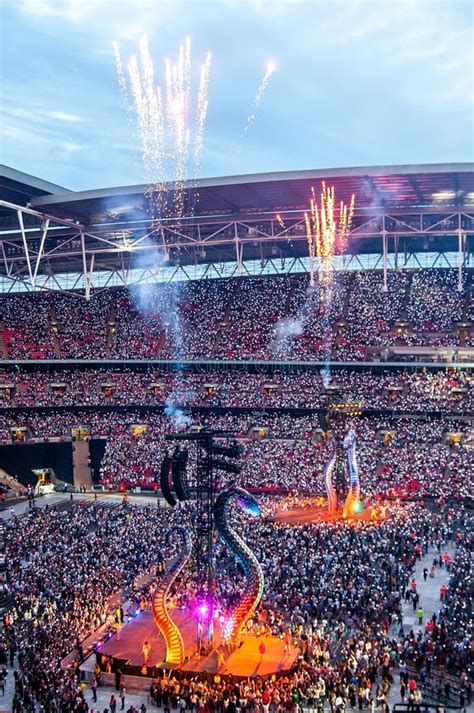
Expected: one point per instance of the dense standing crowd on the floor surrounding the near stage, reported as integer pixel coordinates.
(334, 590)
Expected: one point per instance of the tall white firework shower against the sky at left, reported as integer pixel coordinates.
(170, 121)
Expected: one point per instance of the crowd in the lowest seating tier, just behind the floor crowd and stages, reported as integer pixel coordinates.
(414, 456)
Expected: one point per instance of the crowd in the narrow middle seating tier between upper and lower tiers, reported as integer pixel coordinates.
(447, 390)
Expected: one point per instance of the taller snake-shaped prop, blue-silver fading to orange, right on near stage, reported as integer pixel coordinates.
(250, 599)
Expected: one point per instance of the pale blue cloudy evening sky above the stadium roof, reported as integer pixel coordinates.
(357, 83)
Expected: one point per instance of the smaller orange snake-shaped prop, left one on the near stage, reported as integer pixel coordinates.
(168, 628)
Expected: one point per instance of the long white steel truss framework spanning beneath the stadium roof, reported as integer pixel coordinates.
(36, 244)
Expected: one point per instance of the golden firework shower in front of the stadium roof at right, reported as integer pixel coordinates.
(327, 228)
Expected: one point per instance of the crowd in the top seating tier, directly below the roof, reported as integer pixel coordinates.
(242, 318)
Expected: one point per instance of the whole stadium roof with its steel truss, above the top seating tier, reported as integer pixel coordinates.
(229, 218)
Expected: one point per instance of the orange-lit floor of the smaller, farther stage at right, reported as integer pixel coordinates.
(314, 510)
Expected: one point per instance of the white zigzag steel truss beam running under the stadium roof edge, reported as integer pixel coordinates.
(80, 249)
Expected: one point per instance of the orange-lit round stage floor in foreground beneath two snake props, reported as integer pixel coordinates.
(125, 650)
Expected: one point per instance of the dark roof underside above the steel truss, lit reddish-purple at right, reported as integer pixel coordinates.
(375, 186)
